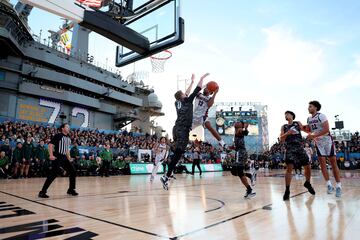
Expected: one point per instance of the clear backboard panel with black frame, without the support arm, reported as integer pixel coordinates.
(159, 21)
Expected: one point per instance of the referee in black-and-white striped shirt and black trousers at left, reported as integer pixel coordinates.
(59, 151)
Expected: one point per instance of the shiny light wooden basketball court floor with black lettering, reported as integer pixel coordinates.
(211, 207)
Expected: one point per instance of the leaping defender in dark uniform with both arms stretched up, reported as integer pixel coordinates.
(184, 109)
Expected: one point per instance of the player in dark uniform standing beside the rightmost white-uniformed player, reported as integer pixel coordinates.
(295, 153)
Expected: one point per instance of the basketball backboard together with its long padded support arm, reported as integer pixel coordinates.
(142, 28)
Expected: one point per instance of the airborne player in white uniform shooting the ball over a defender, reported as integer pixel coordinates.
(203, 102)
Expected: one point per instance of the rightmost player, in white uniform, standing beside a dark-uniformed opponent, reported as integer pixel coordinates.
(318, 126)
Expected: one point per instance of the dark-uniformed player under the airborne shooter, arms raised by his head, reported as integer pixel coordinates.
(239, 166)
